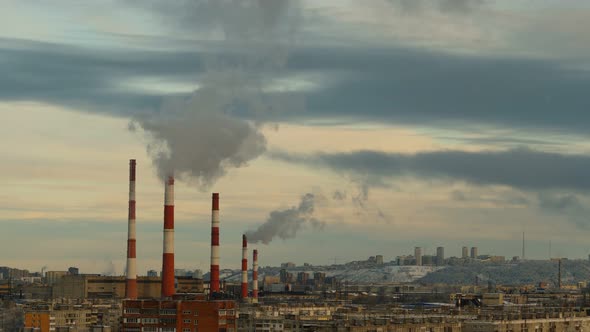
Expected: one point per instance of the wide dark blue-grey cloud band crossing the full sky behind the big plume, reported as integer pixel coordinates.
(391, 85)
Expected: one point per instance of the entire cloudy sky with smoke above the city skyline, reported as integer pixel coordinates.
(333, 130)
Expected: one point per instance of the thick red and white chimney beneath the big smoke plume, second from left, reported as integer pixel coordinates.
(168, 254)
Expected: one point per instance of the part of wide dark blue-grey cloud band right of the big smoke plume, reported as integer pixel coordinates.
(420, 87)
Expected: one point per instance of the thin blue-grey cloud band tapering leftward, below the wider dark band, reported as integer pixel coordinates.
(519, 168)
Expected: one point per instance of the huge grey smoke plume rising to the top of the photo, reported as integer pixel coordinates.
(200, 137)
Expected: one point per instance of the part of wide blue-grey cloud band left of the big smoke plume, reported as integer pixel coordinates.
(88, 80)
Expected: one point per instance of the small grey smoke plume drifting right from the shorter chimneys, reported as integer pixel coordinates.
(286, 223)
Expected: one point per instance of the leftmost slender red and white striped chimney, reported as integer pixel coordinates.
(131, 283)
